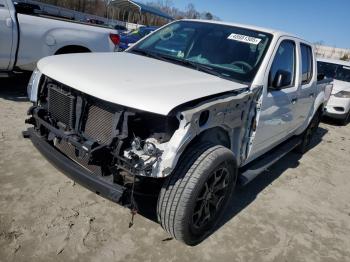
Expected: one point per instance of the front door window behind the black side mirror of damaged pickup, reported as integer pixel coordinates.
(282, 72)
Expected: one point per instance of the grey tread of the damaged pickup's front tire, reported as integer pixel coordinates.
(176, 191)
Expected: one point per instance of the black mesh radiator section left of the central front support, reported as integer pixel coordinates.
(61, 106)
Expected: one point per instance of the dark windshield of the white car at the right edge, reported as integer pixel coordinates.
(338, 72)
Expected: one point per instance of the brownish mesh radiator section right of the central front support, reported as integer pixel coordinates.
(99, 123)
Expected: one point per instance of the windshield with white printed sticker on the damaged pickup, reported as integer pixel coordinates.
(226, 51)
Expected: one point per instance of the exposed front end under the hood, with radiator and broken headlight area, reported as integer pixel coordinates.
(106, 139)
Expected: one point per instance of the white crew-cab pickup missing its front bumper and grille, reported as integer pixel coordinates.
(189, 112)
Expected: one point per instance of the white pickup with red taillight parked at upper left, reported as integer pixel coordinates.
(28, 36)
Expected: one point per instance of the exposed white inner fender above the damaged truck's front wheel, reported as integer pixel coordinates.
(237, 114)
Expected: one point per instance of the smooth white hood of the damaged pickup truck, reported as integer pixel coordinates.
(134, 81)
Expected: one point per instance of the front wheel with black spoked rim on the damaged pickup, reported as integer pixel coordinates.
(194, 197)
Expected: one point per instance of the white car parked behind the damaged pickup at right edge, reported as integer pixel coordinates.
(338, 106)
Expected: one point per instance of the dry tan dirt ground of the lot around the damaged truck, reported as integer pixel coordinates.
(297, 211)
